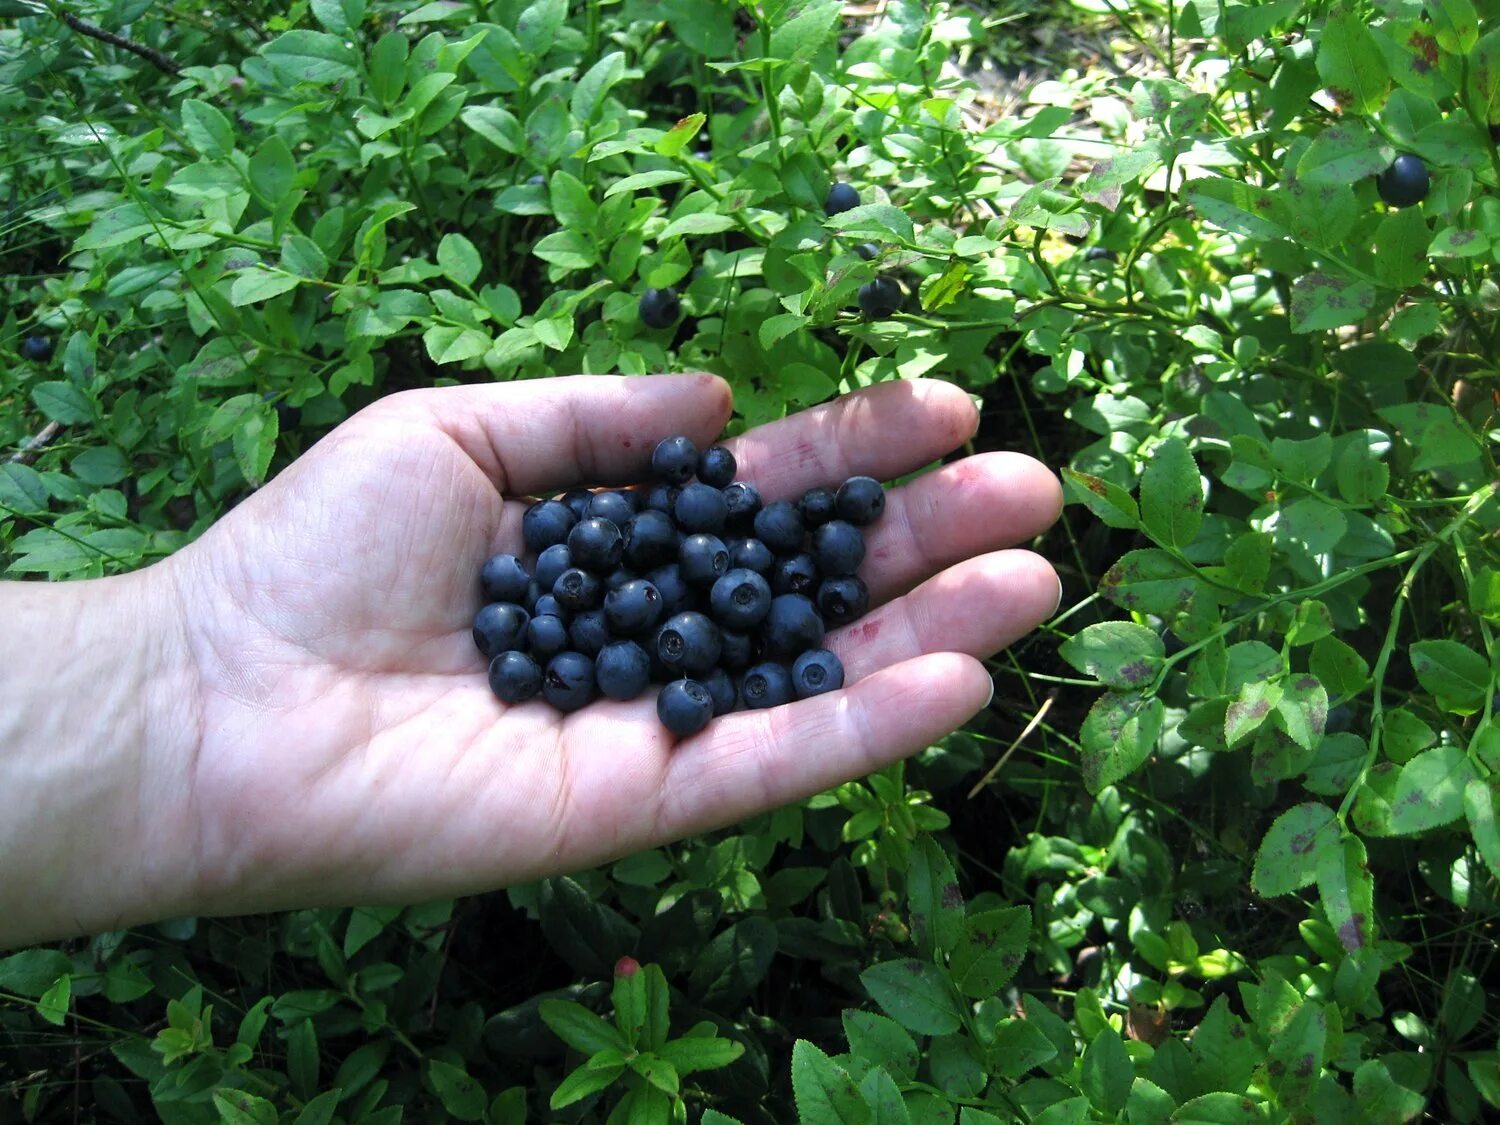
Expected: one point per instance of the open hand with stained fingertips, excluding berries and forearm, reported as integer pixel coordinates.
(350, 749)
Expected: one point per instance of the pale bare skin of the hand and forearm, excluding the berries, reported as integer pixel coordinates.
(292, 712)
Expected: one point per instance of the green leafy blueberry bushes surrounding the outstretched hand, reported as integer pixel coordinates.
(1225, 850)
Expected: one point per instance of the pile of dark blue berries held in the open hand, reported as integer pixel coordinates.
(692, 584)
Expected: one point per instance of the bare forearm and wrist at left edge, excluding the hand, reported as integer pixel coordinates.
(97, 734)
